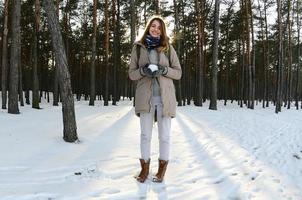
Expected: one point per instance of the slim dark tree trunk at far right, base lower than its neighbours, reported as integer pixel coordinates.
(280, 61)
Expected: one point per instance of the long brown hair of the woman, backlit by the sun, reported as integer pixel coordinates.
(164, 39)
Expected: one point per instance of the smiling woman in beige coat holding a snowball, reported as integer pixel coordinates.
(154, 64)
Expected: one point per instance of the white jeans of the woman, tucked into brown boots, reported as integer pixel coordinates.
(164, 128)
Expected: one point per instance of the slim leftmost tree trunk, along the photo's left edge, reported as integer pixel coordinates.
(4, 57)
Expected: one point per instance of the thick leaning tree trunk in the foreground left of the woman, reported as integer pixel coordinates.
(69, 122)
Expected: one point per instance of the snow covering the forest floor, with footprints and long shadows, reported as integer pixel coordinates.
(233, 154)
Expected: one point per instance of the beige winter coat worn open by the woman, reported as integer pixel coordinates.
(143, 92)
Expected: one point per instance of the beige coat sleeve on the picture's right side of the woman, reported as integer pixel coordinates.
(174, 71)
